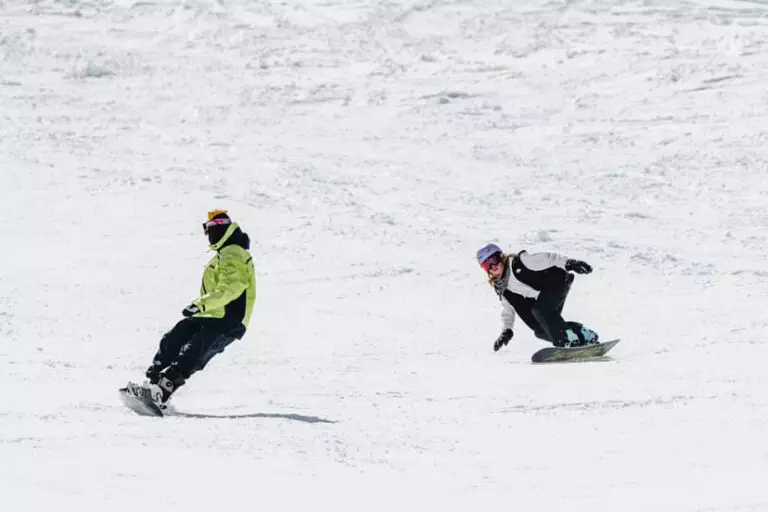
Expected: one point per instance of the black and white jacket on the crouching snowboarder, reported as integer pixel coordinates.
(525, 276)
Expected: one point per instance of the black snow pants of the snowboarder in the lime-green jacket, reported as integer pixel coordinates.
(193, 342)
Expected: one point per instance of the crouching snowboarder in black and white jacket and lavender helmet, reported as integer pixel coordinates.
(534, 287)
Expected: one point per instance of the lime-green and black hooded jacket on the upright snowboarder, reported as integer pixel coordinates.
(228, 290)
